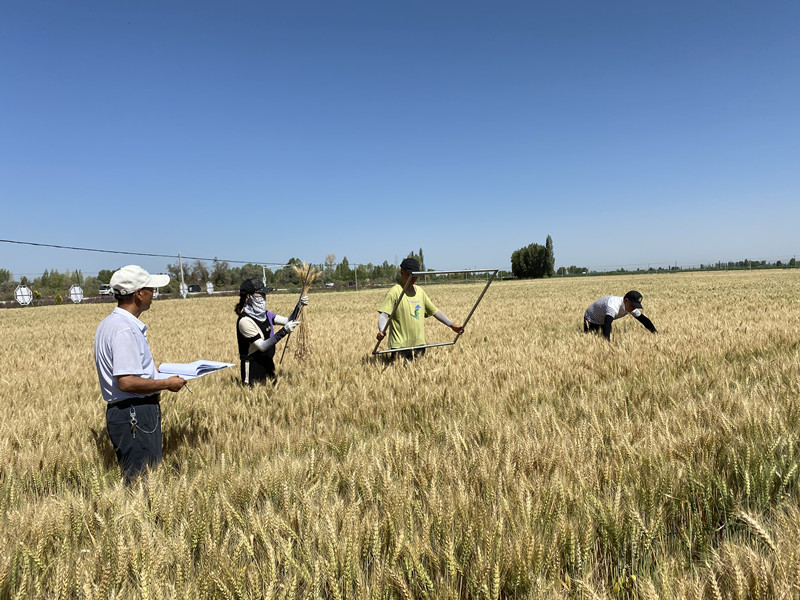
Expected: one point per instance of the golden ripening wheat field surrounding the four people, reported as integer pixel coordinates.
(527, 461)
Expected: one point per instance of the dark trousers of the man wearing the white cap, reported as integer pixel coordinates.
(134, 427)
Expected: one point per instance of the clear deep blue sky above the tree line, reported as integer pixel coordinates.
(633, 133)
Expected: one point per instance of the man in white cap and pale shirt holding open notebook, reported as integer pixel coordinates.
(128, 377)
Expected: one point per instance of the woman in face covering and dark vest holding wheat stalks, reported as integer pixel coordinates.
(255, 331)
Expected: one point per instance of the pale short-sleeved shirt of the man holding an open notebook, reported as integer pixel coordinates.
(121, 348)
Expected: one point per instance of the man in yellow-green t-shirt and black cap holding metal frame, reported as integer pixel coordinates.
(408, 322)
